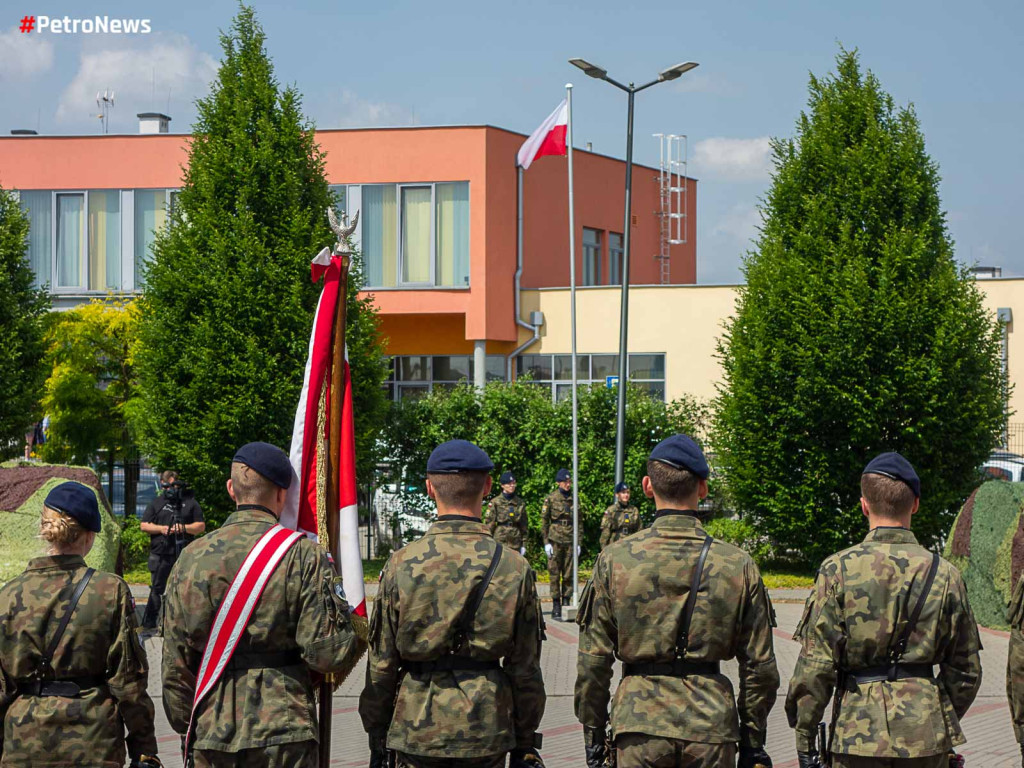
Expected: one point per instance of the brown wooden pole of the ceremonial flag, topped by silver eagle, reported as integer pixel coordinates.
(334, 484)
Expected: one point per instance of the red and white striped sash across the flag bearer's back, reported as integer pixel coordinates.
(235, 611)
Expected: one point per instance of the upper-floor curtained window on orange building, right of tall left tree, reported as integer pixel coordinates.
(416, 236)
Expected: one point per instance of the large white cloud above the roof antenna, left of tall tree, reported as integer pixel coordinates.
(142, 74)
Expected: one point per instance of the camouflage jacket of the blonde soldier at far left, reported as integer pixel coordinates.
(101, 642)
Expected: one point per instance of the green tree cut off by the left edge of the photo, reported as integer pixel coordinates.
(23, 309)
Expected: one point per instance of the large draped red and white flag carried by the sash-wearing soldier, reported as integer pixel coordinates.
(301, 509)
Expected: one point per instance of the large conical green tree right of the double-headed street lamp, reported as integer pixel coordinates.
(857, 331)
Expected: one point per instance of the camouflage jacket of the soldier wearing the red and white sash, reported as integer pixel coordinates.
(300, 611)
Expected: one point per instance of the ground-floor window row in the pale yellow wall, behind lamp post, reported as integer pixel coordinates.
(556, 372)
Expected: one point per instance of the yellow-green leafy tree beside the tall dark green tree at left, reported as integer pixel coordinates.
(92, 385)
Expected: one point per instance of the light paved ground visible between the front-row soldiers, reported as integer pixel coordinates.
(991, 741)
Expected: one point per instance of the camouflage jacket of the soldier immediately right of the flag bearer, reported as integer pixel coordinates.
(423, 591)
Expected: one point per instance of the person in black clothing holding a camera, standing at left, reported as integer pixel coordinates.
(173, 521)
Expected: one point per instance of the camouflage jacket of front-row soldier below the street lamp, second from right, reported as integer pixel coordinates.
(632, 611)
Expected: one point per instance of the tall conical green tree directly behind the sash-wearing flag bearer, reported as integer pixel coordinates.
(229, 305)
